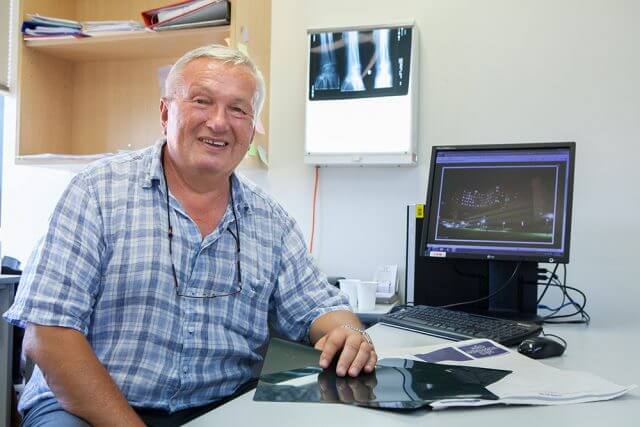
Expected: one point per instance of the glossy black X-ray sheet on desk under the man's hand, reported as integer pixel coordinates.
(395, 384)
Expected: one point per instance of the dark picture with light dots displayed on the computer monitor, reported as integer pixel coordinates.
(503, 204)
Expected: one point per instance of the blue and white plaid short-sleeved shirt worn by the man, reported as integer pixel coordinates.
(103, 268)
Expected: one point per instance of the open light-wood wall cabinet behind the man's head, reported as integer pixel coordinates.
(101, 94)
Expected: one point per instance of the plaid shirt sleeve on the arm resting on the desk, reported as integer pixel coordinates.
(302, 292)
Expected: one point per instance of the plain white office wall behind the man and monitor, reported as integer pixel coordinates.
(492, 71)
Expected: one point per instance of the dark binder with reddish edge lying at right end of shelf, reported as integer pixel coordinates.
(188, 14)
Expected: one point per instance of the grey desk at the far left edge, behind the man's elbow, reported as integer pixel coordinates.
(7, 285)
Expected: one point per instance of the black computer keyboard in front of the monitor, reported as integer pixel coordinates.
(457, 325)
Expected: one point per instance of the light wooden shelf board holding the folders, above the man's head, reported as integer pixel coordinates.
(130, 45)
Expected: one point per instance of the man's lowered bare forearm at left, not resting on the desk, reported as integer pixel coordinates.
(76, 377)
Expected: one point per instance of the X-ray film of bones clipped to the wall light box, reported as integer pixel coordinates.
(359, 63)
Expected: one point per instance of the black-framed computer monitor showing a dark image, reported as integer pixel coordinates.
(502, 202)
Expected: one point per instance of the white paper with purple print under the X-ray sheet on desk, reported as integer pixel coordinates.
(530, 383)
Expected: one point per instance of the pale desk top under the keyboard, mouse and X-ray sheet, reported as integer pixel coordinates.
(606, 350)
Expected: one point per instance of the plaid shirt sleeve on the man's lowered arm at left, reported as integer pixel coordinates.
(61, 280)
